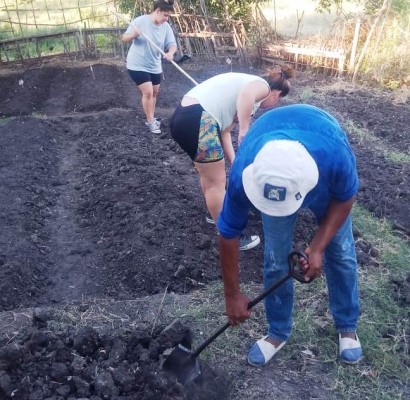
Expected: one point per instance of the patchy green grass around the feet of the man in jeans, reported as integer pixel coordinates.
(383, 325)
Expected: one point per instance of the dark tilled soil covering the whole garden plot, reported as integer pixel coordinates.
(93, 206)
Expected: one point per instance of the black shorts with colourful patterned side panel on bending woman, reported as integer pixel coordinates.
(198, 133)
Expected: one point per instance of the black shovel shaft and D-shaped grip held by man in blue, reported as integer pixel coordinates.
(293, 271)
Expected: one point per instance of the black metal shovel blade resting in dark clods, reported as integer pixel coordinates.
(183, 365)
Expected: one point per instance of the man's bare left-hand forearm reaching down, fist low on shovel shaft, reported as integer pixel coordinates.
(236, 303)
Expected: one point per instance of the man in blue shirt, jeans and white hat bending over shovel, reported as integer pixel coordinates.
(294, 157)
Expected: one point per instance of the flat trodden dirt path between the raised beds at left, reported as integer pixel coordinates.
(72, 253)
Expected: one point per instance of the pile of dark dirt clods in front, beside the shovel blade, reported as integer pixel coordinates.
(84, 364)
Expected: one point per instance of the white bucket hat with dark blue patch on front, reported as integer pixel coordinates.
(280, 177)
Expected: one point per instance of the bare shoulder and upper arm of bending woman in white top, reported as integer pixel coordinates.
(248, 96)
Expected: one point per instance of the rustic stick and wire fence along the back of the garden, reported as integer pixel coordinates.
(79, 29)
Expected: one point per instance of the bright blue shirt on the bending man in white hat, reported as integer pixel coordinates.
(322, 137)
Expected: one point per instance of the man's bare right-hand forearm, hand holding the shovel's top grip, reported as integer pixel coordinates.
(336, 214)
